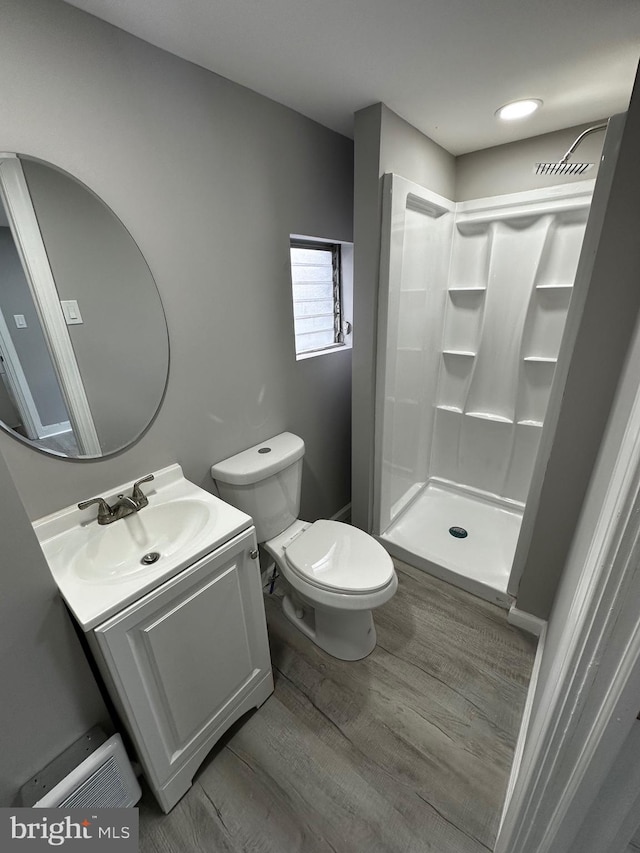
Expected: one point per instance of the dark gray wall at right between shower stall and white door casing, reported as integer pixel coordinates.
(607, 287)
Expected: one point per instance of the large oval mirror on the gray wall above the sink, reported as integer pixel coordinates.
(84, 350)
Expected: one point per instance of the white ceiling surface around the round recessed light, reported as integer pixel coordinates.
(443, 65)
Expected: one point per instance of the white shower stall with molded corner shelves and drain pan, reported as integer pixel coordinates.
(472, 306)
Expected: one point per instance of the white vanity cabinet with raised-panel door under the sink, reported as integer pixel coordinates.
(186, 660)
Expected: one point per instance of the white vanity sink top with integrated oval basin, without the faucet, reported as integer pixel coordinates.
(100, 569)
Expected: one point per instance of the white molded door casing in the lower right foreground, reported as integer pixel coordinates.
(592, 693)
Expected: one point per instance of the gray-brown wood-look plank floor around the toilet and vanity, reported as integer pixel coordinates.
(408, 750)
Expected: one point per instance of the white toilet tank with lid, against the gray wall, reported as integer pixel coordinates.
(264, 481)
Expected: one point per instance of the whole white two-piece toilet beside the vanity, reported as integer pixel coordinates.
(337, 574)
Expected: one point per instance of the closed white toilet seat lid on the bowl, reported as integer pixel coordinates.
(336, 557)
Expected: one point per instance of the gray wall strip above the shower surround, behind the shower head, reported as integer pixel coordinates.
(510, 168)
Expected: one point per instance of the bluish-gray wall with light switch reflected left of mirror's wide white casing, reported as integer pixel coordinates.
(29, 343)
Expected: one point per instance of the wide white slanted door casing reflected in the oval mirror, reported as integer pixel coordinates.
(23, 223)
